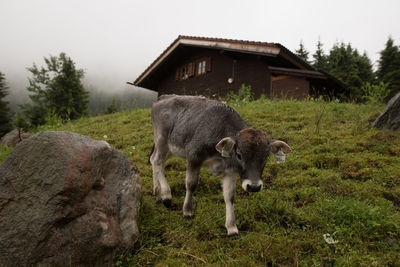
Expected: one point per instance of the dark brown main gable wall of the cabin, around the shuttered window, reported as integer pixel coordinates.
(247, 69)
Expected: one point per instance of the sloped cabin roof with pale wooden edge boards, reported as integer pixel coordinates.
(242, 46)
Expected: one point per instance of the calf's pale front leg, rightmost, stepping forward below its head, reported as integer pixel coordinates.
(229, 188)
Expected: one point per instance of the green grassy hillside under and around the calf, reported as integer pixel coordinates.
(342, 179)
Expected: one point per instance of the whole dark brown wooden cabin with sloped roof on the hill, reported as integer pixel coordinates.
(213, 67)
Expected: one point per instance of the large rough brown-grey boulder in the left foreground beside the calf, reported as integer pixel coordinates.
(66, 200)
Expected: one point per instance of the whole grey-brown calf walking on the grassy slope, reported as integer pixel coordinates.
(207, 132)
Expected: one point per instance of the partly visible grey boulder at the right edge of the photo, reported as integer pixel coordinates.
(390, 117)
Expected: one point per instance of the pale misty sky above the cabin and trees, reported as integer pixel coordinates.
(114, 41)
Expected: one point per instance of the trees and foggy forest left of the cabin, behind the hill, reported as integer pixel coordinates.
(57, 92)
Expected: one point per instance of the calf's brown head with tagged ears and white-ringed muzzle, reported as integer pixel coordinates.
(248, 152)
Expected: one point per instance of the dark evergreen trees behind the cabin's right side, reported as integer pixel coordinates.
(355, 70)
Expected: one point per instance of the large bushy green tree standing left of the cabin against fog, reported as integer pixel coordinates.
(57, 89)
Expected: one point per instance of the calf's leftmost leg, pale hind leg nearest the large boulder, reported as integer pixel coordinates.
(161, 188)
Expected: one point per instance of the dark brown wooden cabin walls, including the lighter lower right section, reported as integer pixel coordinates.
(244, 68)
